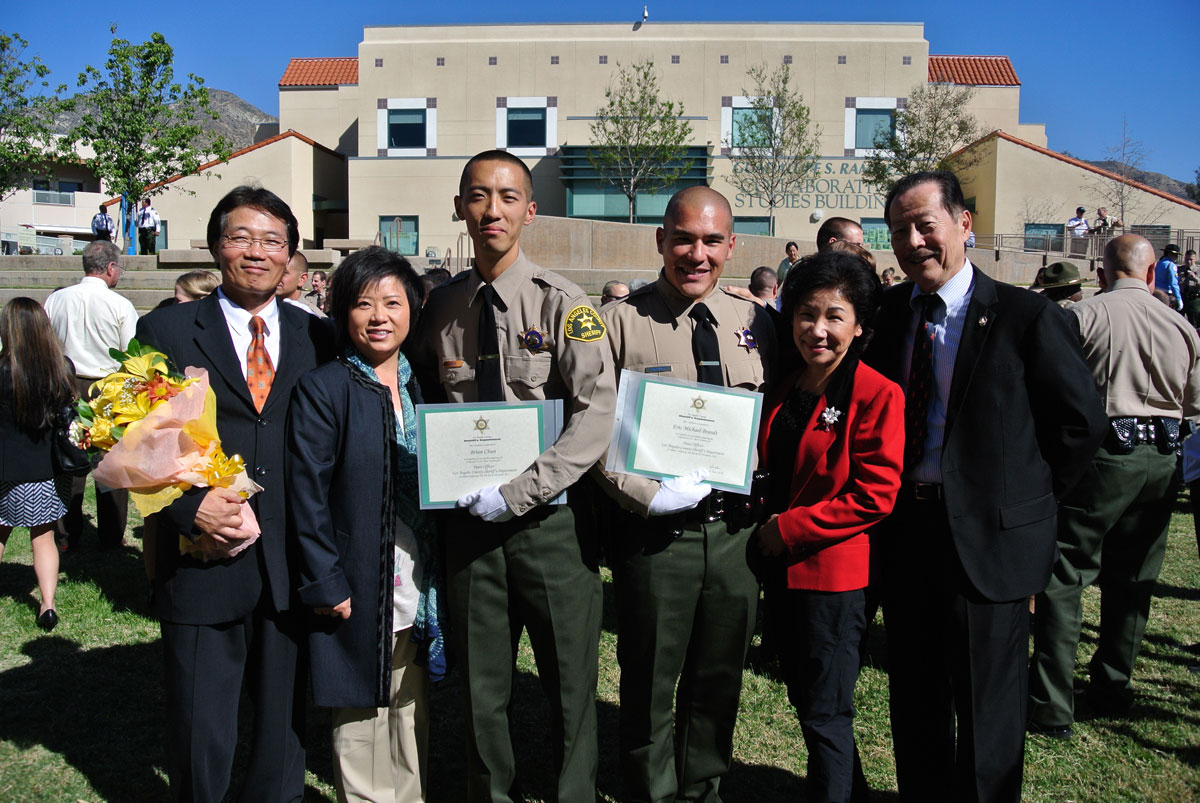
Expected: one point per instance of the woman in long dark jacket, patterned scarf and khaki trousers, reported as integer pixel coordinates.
(368, 554)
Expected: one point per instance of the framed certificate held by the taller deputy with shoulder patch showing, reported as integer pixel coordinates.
(465, 448)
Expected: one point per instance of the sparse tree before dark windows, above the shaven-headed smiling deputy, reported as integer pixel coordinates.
(639, 139)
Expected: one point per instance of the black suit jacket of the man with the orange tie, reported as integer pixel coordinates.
(189, 591)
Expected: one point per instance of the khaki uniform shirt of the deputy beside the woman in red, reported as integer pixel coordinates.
(651, 332)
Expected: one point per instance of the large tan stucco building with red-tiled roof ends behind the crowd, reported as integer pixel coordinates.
(418, 101)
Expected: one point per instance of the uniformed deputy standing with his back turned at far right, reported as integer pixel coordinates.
(1145, 359)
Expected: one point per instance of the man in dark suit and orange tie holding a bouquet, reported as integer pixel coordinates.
(227, 619)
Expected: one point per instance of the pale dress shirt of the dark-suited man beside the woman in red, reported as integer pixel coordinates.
(947, 327)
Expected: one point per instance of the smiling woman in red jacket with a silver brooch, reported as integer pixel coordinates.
(833, 445)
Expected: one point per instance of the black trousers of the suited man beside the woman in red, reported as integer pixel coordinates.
(957, 666)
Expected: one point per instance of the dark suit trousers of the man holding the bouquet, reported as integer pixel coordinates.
(206, 666)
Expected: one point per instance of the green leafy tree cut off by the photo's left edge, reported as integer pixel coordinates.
(27, 109)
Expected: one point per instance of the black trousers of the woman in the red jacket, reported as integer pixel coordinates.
(821, 660)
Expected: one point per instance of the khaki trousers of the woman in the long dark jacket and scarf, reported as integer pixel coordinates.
(382, 754)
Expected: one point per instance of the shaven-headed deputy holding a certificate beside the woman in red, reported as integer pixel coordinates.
(686, 597)
